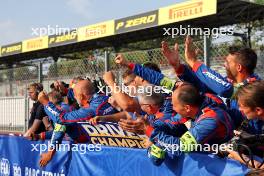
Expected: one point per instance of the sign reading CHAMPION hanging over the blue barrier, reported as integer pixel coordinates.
(111, 134)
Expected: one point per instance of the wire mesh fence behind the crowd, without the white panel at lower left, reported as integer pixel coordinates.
(13, 82)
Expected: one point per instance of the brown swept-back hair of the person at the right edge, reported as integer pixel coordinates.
(252, 94)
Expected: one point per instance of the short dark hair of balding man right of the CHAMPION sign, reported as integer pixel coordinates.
(188, 94)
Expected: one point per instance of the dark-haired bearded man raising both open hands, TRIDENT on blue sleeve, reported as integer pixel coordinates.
(239, 65)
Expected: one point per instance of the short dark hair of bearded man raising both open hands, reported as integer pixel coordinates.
(246, 57)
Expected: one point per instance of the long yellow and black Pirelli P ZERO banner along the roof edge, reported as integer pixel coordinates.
(179, 12)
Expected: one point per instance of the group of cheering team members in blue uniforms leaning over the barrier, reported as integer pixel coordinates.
(202, 107)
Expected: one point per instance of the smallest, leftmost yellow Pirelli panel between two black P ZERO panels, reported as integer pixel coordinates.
(35, 44)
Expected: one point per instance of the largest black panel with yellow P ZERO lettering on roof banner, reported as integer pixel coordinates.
(132, 23)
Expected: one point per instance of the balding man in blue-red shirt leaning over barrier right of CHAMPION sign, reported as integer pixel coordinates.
(211, 124)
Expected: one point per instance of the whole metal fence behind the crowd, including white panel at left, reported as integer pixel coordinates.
(13, 82)
